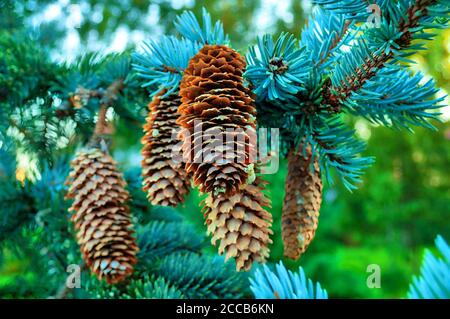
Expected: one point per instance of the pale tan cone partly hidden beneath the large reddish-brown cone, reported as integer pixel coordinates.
(241, 224)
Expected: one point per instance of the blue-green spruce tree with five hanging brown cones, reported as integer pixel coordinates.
(340, 65)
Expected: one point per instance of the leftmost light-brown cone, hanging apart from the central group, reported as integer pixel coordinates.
(101, 216)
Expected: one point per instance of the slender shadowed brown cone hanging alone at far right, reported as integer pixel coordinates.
(301, 203)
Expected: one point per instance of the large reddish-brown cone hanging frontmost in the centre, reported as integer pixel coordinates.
(220, 117)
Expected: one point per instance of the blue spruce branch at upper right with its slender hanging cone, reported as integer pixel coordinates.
(304, 86)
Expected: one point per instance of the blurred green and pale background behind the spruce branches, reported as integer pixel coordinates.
(398, 210)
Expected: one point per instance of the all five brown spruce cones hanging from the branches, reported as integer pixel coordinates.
(216, 150)
